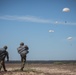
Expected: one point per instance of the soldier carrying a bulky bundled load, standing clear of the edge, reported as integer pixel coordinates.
(23, 51)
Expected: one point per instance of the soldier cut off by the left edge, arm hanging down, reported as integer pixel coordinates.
(3, 55)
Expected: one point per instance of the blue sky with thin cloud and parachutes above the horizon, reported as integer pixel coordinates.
(49, 31)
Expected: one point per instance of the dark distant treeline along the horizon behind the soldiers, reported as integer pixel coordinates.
(45, 61)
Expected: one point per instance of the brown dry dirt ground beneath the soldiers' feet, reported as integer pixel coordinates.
(40, 69)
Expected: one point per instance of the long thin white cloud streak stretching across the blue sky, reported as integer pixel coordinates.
(34, 19)
